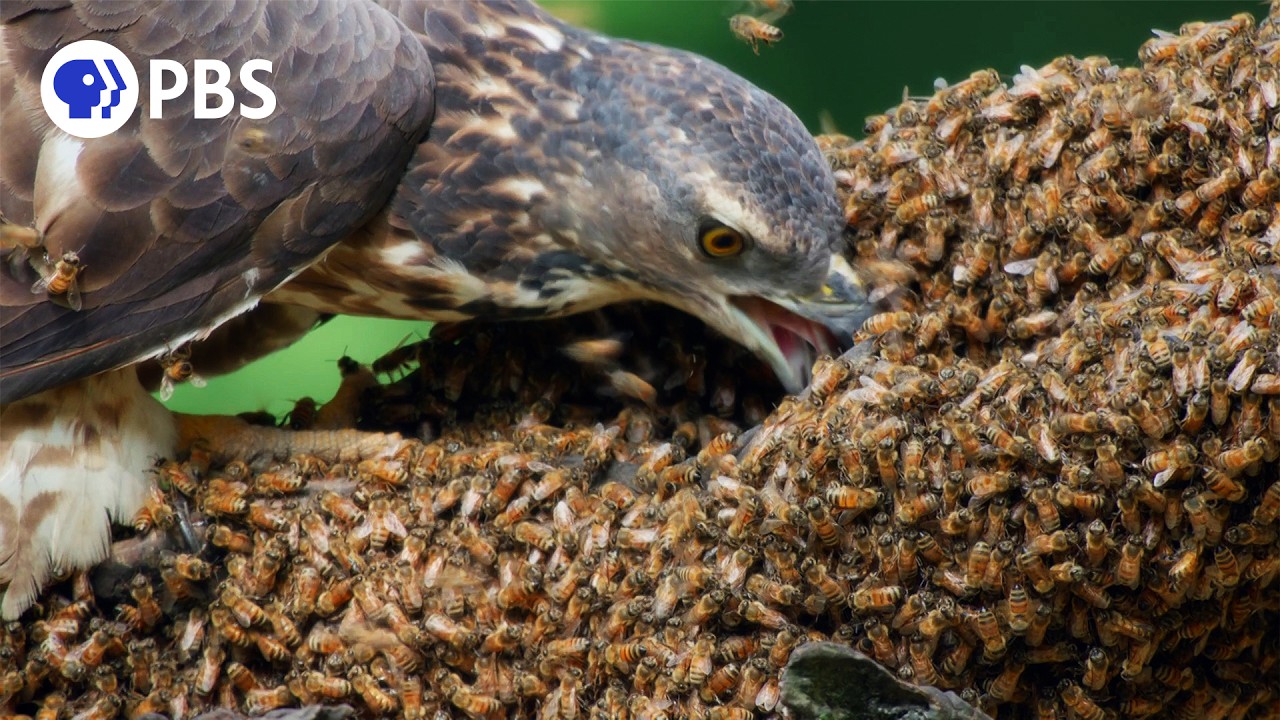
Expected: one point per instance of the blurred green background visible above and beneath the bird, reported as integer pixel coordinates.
(851, 60)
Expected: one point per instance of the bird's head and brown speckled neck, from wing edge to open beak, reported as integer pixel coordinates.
(566, 171)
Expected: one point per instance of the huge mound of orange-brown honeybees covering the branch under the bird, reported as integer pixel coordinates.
(1046, 479)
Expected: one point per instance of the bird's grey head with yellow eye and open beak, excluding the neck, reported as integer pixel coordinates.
(710, 195)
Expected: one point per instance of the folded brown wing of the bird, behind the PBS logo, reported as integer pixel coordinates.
(182, 222)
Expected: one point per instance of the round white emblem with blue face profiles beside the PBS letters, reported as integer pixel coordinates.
(89, 89)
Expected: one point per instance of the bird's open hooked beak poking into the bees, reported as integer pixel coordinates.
(792, 332)
